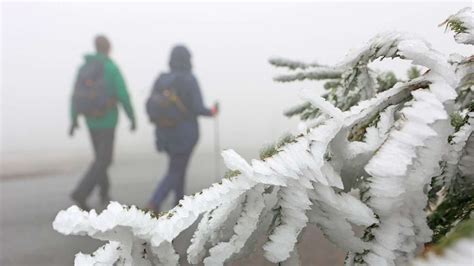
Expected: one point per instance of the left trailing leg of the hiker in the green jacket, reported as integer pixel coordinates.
(89, 180)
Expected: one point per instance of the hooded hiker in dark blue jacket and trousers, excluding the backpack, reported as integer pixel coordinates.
(178, 139)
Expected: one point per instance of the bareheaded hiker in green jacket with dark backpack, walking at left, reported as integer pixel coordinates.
(99, 88)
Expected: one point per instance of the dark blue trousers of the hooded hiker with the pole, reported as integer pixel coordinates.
(173, 179)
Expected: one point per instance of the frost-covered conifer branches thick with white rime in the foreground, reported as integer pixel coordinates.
(374, 150)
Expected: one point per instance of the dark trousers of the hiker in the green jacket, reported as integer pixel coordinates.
(103, 144)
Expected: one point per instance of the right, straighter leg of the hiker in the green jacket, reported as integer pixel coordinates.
(105, 155)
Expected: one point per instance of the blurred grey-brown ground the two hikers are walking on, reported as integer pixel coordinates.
(29, 205)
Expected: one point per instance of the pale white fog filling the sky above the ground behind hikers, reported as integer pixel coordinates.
(43, 44)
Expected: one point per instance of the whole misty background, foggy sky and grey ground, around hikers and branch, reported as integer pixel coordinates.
(43, 44)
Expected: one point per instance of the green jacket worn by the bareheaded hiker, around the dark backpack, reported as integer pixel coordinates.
(116, 85)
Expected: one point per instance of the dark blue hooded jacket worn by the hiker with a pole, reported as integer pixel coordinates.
(183, 137)
